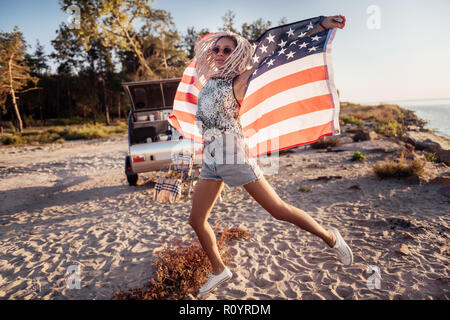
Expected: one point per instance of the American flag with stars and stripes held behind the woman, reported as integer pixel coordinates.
(291, 98)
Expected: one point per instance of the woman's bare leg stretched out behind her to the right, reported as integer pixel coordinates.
(264, 194)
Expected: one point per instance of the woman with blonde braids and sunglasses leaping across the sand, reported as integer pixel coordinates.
(222, 58)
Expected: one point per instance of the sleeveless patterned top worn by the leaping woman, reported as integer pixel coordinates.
(217, 107)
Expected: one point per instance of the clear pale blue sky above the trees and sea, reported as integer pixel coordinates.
(389, 49)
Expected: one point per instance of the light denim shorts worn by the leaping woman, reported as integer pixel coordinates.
(229, 163)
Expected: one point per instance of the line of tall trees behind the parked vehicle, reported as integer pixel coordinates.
(92, 58)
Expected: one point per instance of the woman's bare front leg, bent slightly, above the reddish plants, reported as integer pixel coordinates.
(205, 195)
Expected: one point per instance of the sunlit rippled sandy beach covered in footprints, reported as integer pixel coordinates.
(70, 205)
